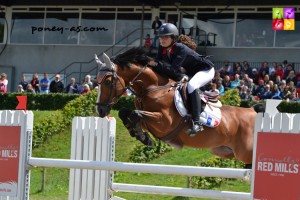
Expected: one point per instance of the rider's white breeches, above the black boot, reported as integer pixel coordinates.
(200, 79)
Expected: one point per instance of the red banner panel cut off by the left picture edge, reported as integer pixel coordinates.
(9, 159)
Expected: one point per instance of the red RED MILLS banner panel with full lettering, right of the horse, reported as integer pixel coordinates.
(277, 168)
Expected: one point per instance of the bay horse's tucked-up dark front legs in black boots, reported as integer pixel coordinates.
(131, 120)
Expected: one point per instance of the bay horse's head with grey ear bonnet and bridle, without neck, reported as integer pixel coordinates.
(110, 86)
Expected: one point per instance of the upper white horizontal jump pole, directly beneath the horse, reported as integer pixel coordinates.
(143, 168)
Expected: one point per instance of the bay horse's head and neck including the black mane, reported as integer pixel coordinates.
(127, 71)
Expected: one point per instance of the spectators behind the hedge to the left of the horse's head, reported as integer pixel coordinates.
(45, 86)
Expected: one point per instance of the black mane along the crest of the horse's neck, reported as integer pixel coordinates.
(136, 55)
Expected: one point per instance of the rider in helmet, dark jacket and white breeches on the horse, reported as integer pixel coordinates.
(177, 60)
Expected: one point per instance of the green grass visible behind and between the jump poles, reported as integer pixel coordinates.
(57, 180)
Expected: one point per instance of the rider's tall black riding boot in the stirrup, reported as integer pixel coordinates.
(196, 111)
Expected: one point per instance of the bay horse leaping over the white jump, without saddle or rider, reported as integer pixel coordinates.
(156, 112)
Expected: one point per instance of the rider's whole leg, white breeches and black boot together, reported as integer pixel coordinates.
(199, 79)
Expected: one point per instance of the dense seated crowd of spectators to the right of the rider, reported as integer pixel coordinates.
(278, 81)
